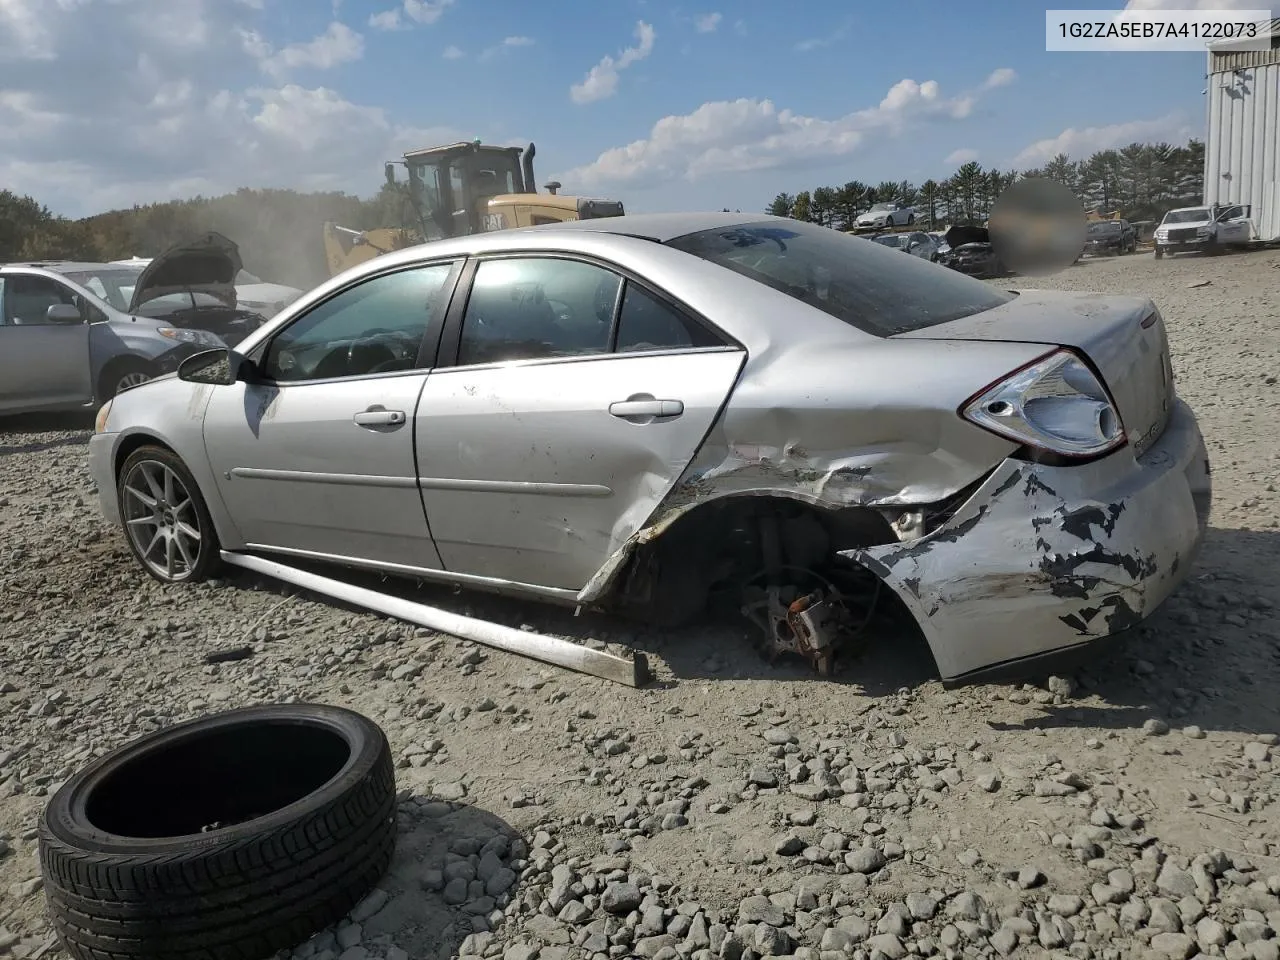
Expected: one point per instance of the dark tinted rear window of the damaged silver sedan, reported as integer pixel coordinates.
(867, 286)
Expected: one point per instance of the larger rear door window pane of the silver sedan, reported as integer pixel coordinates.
(532, 308)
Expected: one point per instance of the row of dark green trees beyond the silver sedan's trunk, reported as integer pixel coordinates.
(1142, 181)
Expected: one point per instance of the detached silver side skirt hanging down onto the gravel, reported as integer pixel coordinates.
(548, 650)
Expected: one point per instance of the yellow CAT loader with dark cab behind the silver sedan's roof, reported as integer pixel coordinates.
(459, 190)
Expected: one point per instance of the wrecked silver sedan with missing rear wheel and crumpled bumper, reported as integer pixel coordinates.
(646, 413)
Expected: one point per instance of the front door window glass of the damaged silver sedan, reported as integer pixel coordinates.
(372, 328)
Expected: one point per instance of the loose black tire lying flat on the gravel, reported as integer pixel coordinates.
(136, 866)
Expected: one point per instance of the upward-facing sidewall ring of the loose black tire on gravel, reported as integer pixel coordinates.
(66, 822)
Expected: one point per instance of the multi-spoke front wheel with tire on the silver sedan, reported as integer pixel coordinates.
(166, 519)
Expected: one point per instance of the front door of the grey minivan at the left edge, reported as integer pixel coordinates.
(43, 364)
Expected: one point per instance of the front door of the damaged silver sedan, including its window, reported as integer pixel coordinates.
(318, 456)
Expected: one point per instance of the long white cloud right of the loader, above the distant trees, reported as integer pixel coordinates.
(737, 136)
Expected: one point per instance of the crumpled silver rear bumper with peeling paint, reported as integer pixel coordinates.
(1043, 560)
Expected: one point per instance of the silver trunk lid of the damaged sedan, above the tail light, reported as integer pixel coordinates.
(1124, 339)
